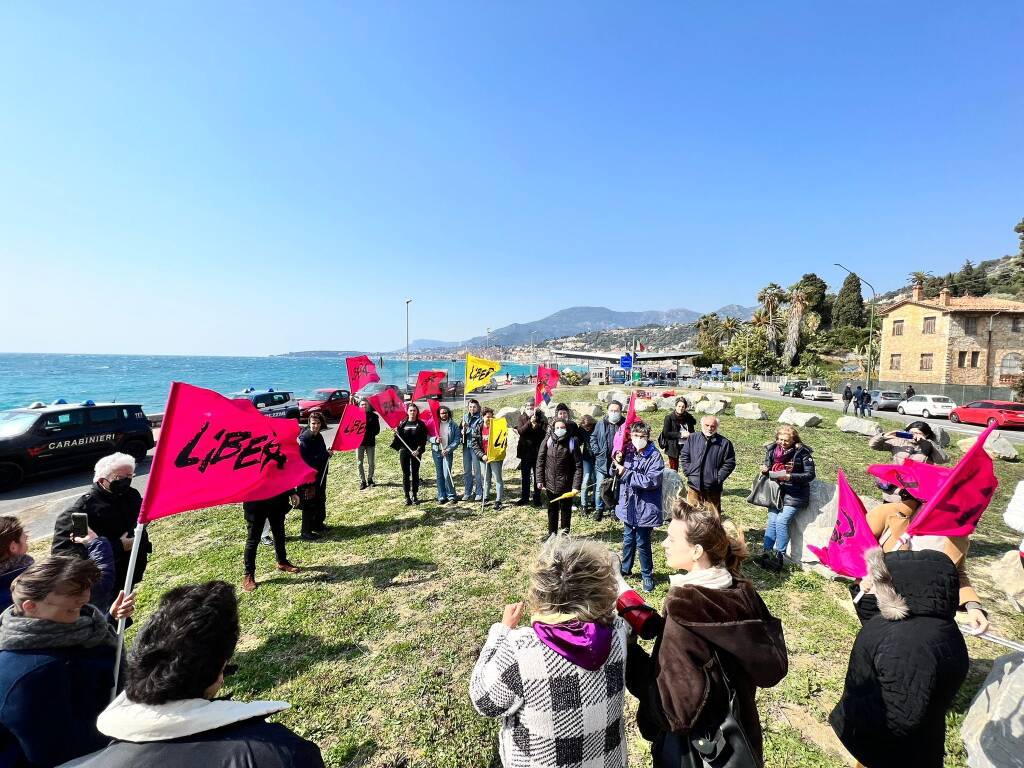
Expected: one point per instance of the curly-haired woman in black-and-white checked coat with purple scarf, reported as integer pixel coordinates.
(558, 685)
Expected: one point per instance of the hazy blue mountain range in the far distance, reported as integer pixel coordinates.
(580, 320)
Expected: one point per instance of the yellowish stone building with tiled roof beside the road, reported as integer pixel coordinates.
(969, 342)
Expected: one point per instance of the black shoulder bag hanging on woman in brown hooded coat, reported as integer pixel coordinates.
(723, 747)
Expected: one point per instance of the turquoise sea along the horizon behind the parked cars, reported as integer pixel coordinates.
(147, 379)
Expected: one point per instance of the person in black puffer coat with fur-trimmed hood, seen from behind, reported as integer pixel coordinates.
(907, 665)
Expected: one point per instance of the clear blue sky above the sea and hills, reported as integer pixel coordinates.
(249, 179)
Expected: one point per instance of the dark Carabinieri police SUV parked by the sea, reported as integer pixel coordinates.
(63, 437)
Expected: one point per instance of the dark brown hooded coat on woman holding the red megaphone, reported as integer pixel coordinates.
(680, 687)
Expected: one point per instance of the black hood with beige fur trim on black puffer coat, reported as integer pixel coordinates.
(924, 583)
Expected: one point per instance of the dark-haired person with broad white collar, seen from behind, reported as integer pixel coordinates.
(168, 716)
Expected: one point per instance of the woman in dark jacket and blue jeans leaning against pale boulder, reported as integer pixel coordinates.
(793, 464)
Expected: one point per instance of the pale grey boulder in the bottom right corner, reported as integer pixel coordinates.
(994, 729)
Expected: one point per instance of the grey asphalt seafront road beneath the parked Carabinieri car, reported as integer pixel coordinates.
(40, 499)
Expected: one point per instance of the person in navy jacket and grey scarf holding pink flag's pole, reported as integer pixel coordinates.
(58, 654)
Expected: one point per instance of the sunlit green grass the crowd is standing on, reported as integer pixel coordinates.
(373, 644)
